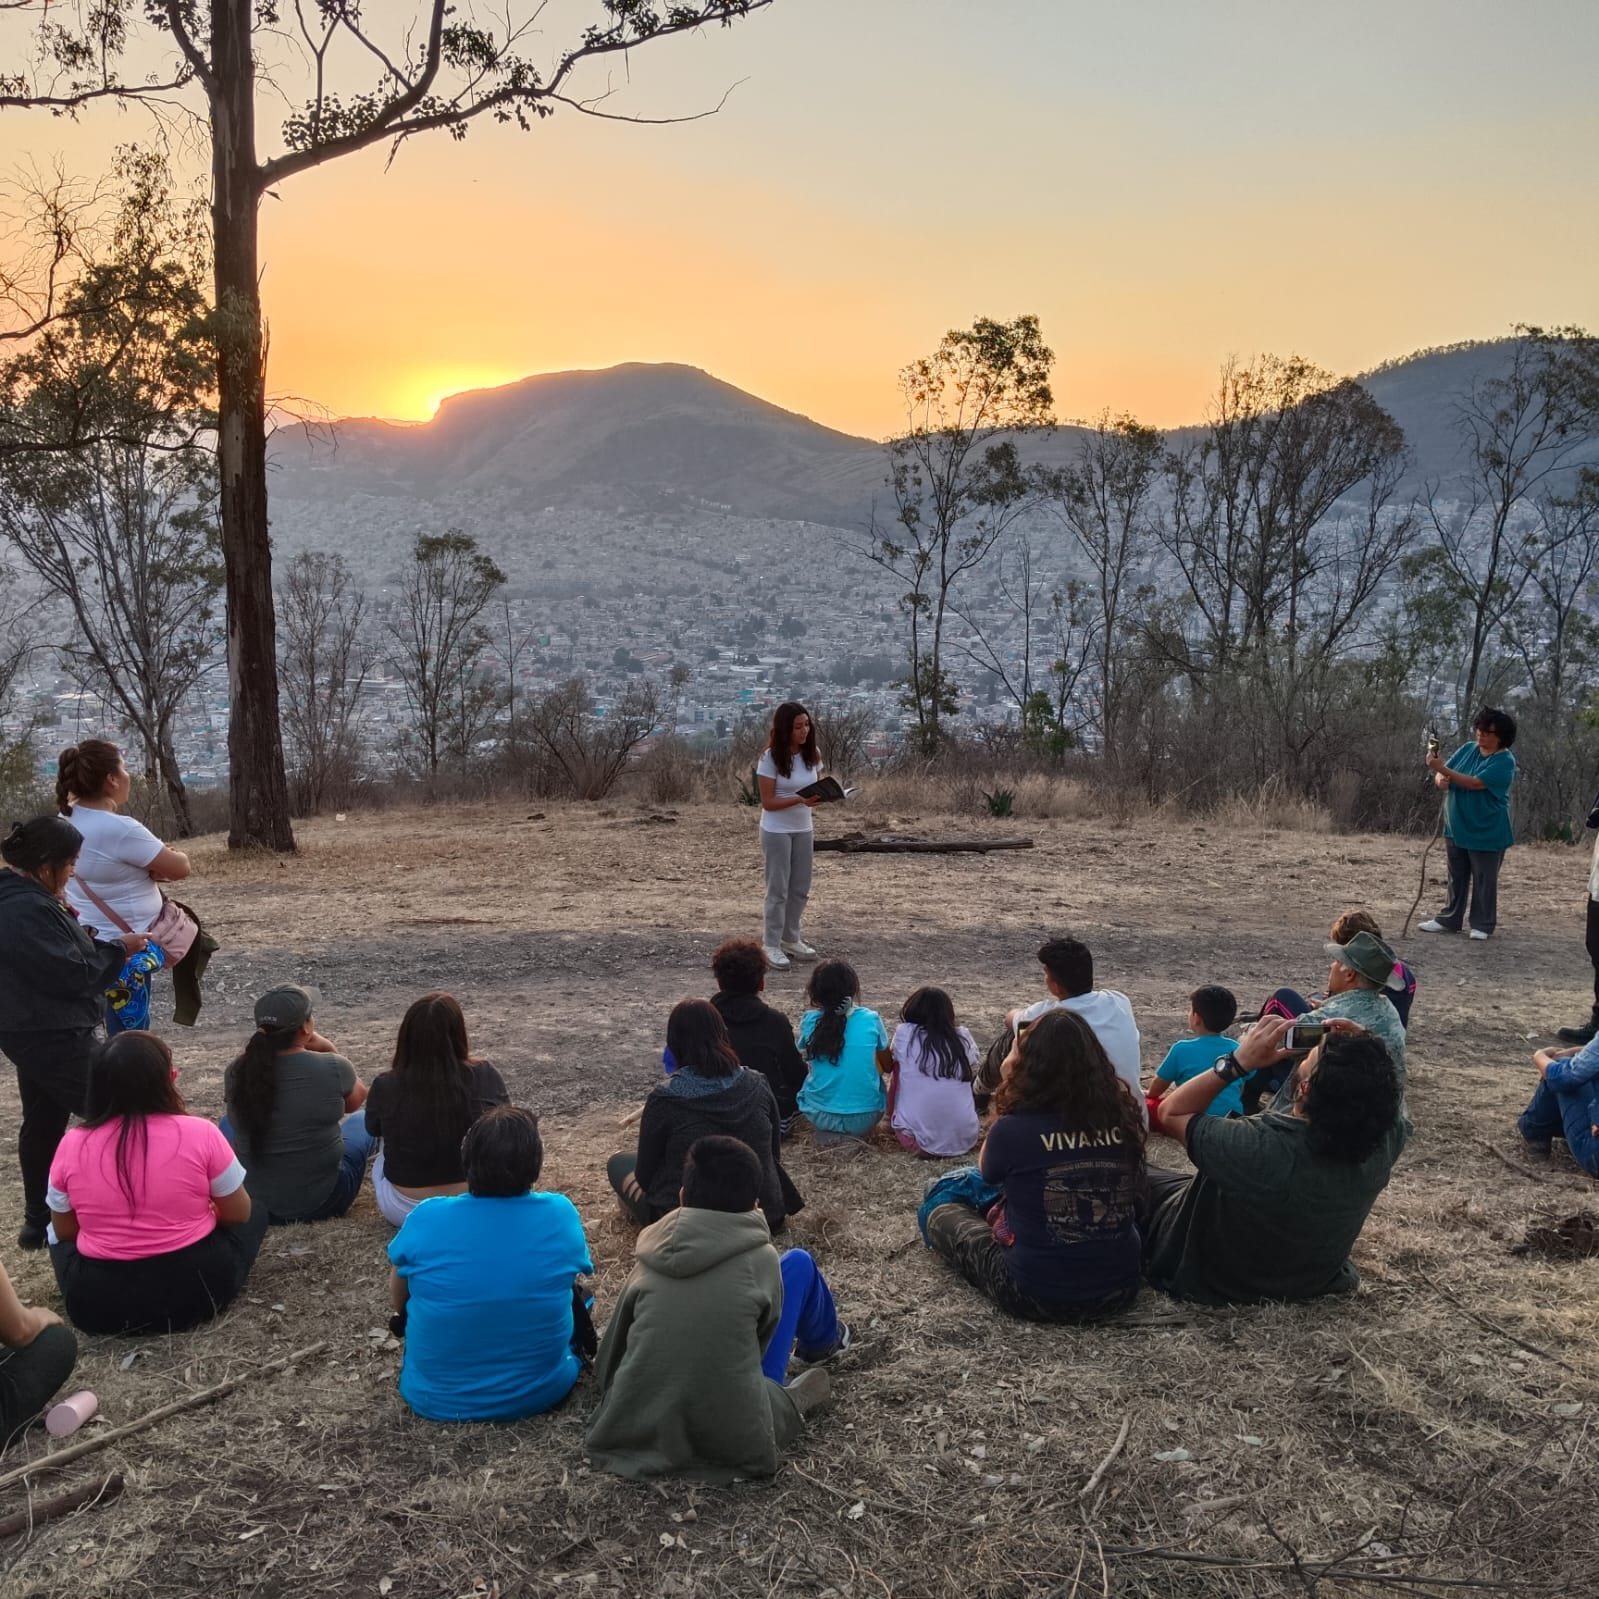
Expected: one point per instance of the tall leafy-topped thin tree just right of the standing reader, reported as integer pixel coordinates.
(957, 484)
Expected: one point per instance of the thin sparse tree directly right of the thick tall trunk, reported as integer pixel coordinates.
(324, 661)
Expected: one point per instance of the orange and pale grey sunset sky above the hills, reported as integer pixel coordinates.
(1163, 183)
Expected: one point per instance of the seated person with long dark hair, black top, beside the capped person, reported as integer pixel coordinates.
(421, 1109)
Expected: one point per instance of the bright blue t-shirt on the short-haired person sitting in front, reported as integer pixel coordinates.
(490, 1318)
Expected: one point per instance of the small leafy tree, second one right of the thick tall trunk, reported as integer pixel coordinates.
(441, 642)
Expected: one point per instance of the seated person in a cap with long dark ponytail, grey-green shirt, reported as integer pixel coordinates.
(292, 1114)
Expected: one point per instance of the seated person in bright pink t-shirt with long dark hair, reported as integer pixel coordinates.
(153, 1229)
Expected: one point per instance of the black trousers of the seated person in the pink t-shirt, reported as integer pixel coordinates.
(165, 1293)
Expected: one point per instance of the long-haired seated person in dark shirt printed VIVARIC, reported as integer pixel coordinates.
(1056, 1237)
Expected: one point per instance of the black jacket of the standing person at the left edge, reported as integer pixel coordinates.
(54, 976)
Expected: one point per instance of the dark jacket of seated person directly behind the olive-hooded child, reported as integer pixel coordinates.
(743, 1111)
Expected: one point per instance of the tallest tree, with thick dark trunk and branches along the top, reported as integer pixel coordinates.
(431, 70)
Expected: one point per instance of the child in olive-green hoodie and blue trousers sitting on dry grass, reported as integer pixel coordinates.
(685, 1387)
